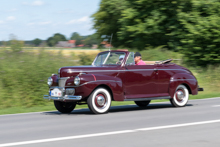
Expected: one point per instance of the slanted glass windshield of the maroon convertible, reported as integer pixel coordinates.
(109, 58)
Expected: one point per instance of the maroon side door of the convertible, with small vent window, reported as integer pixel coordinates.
(140, 81)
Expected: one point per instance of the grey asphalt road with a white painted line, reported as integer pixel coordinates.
(160, 124)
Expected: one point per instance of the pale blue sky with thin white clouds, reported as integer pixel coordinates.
(30, 19)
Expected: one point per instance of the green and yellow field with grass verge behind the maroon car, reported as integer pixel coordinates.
(24, 75)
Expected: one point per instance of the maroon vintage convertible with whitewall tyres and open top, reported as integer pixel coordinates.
(113, 76)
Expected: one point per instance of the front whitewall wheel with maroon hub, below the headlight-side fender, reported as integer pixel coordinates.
(99, 101)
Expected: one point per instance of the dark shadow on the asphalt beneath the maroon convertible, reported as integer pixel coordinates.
(114, 109)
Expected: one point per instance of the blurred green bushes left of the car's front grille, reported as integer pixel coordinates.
(24, 76)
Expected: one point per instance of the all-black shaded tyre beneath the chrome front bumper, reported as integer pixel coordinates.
(64, 107)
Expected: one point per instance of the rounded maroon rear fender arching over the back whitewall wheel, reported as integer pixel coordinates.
(185, 79)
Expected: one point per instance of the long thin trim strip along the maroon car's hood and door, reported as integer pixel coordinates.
(120, 70)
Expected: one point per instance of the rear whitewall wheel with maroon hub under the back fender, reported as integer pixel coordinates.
(181, 96)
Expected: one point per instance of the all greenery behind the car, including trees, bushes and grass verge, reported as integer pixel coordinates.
(184, 30)
